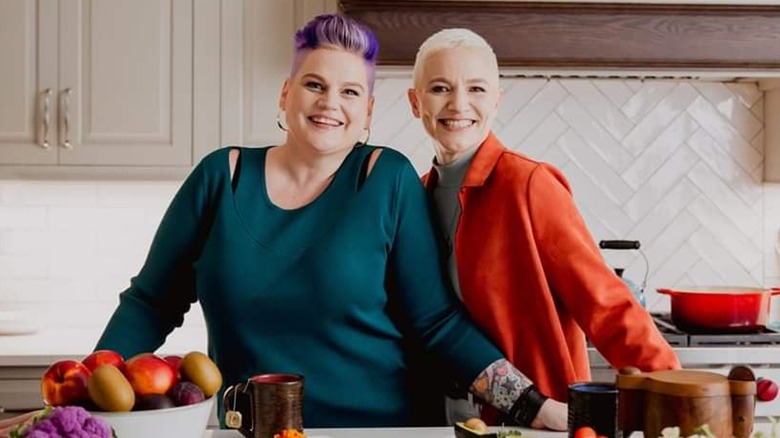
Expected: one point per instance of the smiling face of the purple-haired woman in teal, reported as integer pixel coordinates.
(327, 102)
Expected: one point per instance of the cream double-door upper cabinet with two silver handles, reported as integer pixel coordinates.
(96, 83)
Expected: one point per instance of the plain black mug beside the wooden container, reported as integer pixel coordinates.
(593, 404)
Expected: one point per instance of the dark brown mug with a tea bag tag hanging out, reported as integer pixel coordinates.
(265, 405)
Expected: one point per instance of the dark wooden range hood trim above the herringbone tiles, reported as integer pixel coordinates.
(555, 35)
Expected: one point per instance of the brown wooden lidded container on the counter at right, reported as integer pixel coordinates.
(686, 399)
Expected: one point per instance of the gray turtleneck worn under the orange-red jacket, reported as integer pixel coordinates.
(445, 195)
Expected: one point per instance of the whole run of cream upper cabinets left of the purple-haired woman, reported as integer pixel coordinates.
(139, 88)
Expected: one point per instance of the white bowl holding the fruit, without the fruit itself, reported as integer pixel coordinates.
(183, 421)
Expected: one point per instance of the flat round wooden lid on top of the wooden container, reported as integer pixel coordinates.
(688, 383)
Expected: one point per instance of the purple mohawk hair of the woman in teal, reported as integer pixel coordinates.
(338, 31)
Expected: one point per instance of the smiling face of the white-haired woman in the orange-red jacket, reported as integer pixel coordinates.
(456, 96)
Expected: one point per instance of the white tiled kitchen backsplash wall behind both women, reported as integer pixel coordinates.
(674, 164)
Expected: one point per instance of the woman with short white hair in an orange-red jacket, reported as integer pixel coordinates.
(520, 256)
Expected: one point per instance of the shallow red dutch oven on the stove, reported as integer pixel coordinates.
(720, 309)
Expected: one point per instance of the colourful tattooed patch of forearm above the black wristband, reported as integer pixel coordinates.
(500, 384)
